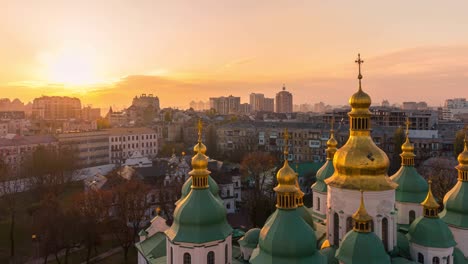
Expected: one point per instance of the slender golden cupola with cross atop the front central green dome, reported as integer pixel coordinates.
(286, 190)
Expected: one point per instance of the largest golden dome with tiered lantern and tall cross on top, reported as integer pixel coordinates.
(360, 164)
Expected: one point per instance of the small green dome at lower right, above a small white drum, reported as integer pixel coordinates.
(430, 232)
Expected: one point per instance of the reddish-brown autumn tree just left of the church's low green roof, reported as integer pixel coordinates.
(129, 208)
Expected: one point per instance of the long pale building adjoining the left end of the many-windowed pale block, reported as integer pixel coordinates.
(92, 146)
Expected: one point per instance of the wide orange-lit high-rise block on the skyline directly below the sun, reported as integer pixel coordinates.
(56, 108)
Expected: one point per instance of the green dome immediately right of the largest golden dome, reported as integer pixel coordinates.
(412, 187)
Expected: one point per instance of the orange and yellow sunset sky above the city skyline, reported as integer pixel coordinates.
(107, 51)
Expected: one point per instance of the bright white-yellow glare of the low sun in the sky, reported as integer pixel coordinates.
(69, 68)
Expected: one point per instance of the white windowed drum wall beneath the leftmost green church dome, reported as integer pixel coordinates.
(199, 252)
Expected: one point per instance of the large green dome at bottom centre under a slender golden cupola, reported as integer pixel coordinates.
(286, 238)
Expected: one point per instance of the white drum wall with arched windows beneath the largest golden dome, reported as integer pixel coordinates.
(345, 202)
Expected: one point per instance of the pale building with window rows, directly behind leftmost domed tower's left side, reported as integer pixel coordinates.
(124, 142)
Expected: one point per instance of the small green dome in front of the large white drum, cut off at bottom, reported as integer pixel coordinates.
(358, 248)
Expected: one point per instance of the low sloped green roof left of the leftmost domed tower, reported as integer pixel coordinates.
(153, 247)
